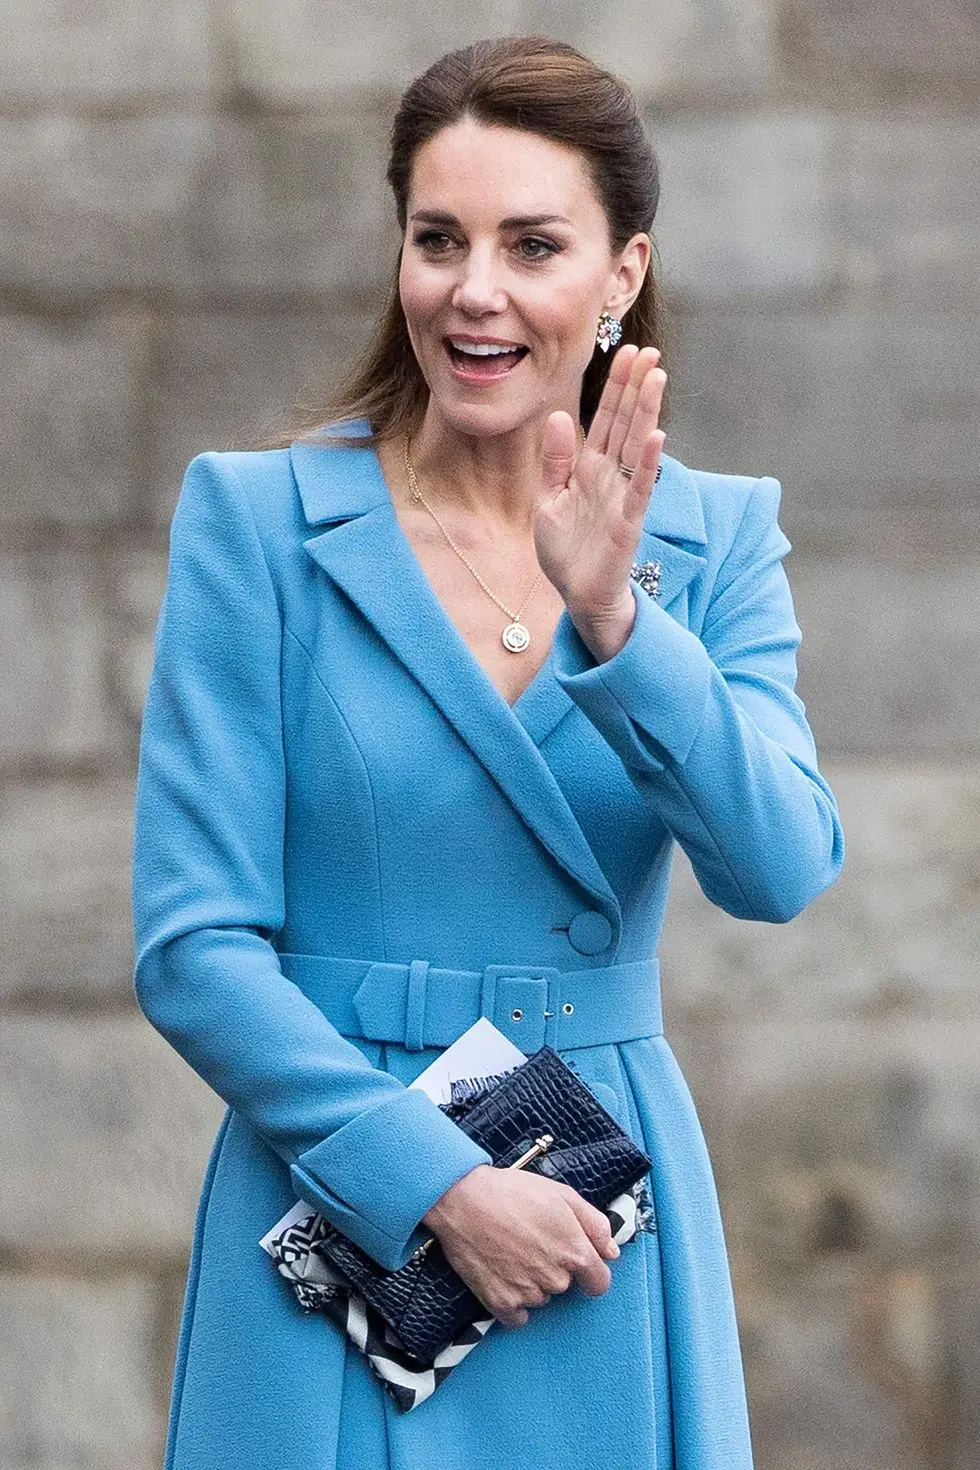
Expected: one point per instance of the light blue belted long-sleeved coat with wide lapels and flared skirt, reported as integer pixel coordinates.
(325, 771)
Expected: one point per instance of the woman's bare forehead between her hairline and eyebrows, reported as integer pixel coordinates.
(484, 170)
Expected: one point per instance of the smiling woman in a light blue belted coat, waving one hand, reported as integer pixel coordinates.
(434, 696)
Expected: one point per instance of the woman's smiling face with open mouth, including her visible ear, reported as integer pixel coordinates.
(506, 268)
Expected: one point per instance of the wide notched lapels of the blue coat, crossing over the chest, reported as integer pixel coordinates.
(367, 553)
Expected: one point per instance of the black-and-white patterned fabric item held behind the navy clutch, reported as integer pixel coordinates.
(317, 1287)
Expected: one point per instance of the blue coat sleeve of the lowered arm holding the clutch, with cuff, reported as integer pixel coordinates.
(208, 897)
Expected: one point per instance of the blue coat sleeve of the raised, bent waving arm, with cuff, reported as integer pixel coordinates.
(713, 731)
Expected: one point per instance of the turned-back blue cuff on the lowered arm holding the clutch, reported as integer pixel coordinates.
(378, 1175)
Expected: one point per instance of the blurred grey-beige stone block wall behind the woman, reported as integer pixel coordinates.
(192, 229)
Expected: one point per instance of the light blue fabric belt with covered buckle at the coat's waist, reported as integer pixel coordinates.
(422, 1005)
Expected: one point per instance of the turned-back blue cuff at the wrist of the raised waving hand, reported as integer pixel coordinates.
(650, 699)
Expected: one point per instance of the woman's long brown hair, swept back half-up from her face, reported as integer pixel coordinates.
(543, 87)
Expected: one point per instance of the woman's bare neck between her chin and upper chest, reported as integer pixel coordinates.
(494, 478)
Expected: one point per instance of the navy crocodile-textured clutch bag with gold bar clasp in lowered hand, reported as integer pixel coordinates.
(541, 1114)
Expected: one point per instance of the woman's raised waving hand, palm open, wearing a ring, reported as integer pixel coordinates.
(590, 515)
